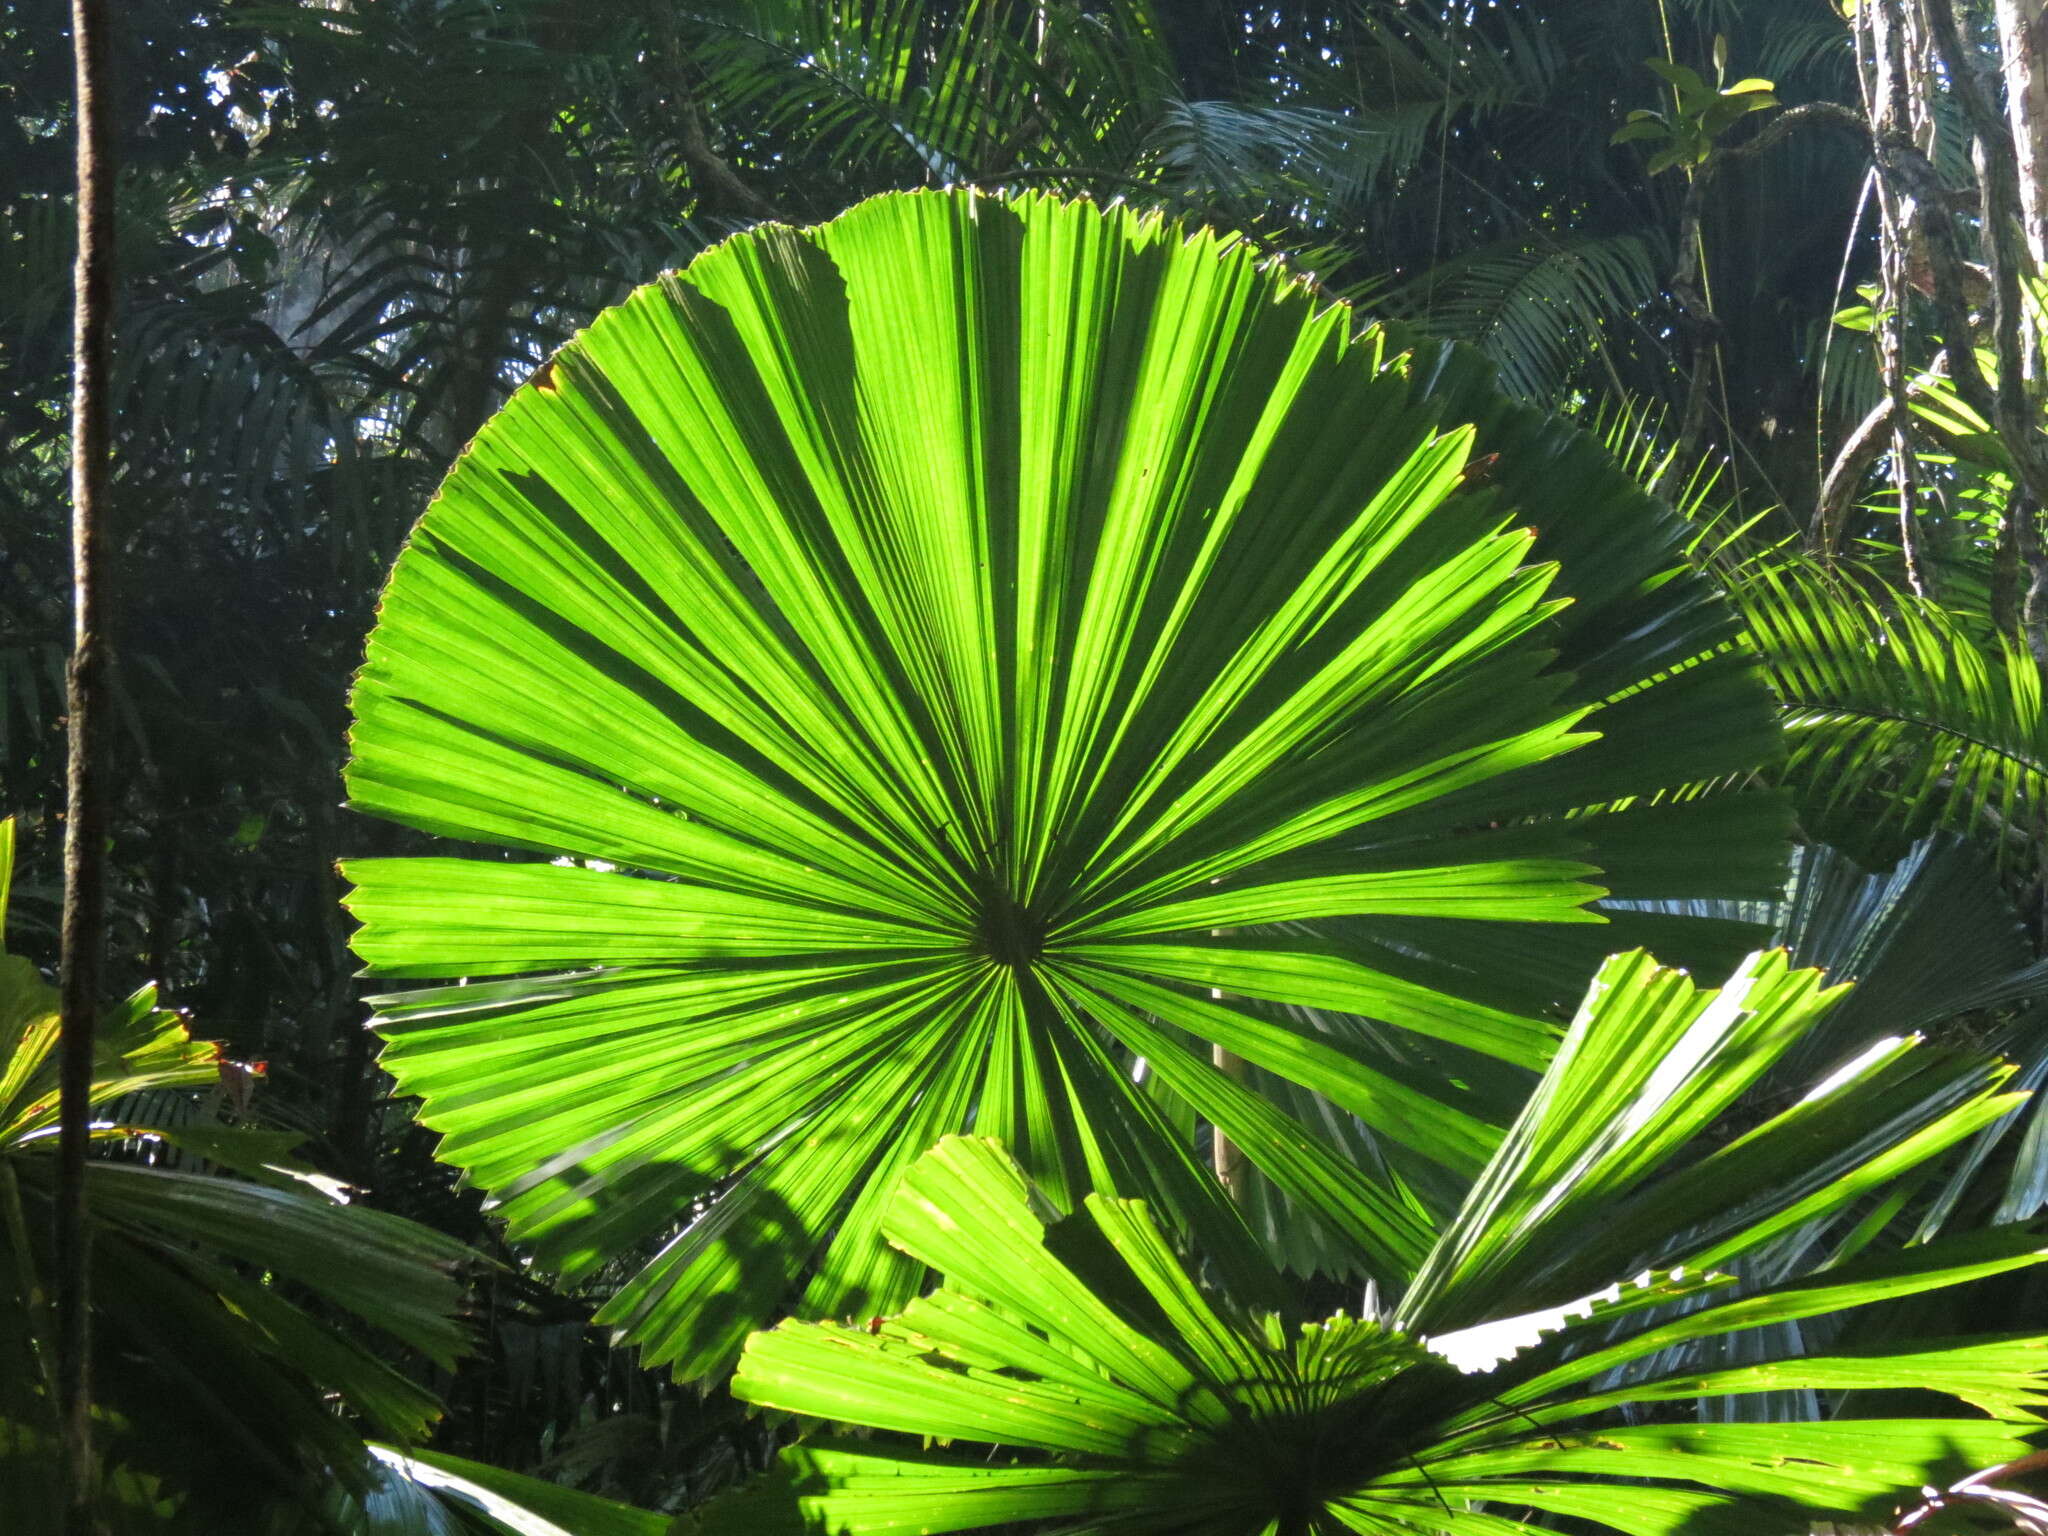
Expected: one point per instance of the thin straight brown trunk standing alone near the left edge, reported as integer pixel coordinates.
(85, 839)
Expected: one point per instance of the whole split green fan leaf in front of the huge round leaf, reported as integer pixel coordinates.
(1107, 1390)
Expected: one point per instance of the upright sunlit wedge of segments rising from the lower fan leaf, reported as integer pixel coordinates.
(1588, 1179)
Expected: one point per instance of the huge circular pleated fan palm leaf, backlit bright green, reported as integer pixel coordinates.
(962, 667)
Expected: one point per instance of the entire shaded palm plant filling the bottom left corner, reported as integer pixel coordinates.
(239, 1299)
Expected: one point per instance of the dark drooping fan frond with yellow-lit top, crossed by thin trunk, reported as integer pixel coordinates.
(220, 1299)
